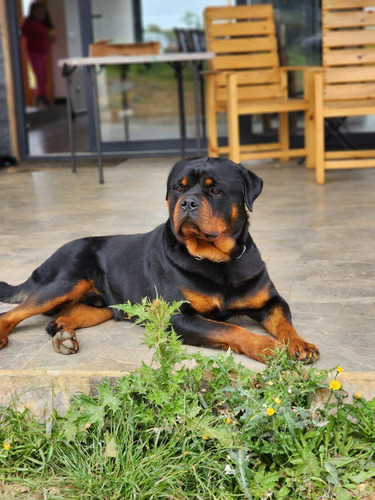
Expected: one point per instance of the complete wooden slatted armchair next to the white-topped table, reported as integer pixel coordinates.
(245, 78)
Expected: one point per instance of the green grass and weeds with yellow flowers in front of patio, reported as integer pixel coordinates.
(194, 427)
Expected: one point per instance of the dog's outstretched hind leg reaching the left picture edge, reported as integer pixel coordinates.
(39, 302)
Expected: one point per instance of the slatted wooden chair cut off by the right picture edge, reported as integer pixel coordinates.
(345, 85)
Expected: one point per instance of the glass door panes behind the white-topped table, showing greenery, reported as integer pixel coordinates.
(139, 109)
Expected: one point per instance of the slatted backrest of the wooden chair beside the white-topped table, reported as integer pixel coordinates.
(244, 40)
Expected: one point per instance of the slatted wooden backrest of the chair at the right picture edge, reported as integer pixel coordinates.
(348, 28)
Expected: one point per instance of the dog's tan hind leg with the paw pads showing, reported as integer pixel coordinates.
(62, 329)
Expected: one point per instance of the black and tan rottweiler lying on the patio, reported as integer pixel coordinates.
(203, 255)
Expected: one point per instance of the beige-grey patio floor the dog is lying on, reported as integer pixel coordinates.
(317, 241)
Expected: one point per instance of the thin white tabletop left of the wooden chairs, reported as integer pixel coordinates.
(146, 58)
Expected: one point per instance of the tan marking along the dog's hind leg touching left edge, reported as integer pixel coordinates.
(32, 306)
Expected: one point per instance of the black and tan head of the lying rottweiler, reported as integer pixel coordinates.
(206, 200)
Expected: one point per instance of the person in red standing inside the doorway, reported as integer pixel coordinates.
(38, 31)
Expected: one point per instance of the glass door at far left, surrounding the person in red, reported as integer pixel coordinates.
(45, 124)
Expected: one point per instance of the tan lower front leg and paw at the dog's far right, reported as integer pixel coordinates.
(278, 325)
